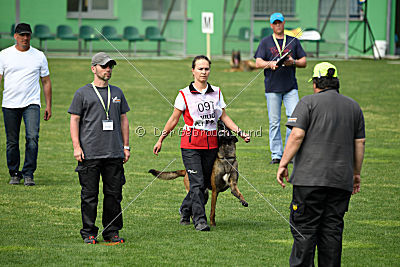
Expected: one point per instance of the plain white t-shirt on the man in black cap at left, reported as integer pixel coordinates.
(21, 72)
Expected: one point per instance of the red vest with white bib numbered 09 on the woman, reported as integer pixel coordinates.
(201, 116)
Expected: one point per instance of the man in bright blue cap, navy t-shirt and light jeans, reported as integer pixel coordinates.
(280, 82)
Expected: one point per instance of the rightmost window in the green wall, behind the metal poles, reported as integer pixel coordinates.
(339, 10)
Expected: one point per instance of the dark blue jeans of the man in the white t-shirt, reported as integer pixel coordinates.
(12, 123)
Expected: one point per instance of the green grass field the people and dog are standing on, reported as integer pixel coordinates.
(40, 225)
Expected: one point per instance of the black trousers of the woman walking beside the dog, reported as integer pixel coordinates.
(198, 164)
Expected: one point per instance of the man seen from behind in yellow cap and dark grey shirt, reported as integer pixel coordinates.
(328, 139)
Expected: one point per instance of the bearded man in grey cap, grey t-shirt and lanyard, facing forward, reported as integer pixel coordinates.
(100, 137)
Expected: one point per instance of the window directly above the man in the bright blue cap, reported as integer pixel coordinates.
(263, 8)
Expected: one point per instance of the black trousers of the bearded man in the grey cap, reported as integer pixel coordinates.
(112, 173)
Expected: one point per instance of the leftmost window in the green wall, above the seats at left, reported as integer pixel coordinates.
(102, 9)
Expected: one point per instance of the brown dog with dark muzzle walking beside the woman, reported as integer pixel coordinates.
(224, 173)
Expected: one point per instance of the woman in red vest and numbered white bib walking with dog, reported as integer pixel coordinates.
(202, 105)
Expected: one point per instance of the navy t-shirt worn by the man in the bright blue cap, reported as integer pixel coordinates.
(283, 79)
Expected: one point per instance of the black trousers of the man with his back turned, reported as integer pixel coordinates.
(317, 213)
